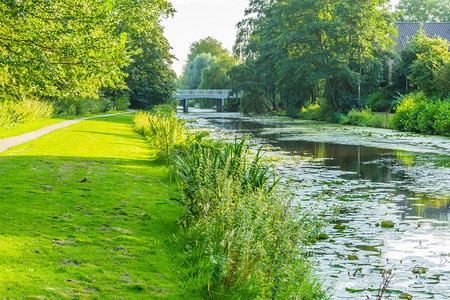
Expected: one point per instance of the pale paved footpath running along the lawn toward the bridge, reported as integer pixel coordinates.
(7, 143)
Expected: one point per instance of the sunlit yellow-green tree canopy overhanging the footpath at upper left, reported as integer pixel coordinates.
(70, 47)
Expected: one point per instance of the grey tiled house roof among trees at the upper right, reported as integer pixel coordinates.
(407, 30)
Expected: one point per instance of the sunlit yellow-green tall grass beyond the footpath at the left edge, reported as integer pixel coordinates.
(24, 110)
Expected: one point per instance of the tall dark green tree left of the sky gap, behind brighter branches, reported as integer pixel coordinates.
(149, 78)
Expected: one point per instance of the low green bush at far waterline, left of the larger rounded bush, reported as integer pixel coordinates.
(366, 118)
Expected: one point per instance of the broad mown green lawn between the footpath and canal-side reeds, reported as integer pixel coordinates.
(108, 237)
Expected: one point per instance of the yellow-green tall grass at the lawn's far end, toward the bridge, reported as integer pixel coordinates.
(165, 131)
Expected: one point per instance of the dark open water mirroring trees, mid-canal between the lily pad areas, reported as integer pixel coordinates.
(362, 163)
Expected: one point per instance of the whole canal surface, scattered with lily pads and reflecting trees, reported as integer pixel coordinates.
(371, 175)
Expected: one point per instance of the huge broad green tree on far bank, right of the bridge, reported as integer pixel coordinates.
(317, 47)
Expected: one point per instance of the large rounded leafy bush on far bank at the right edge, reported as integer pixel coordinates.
(417, 113)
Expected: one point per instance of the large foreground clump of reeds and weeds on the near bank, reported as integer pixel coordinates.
(243, 238)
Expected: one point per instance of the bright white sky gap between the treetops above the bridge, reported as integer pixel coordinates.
(197, 19)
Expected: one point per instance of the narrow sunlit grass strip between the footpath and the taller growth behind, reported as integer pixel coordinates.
(19, 129)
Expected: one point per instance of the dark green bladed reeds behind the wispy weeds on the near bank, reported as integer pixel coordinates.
(202, 171)
